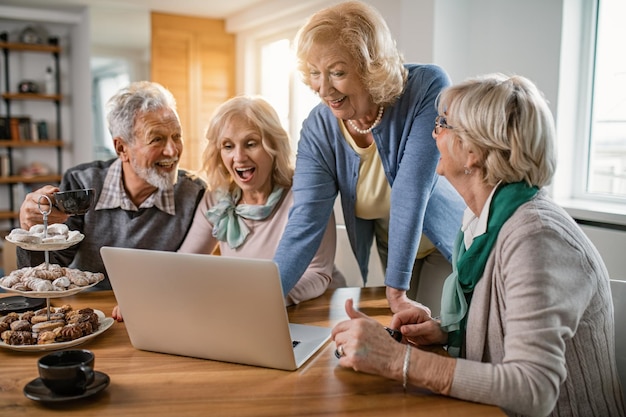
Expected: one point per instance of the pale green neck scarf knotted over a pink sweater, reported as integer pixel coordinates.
(227, 217)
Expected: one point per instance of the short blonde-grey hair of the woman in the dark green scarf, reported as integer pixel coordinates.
(507, 122)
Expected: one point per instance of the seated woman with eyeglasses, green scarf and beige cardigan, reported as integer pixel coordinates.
(527, 315)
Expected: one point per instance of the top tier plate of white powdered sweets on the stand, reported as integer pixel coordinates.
(38, 238)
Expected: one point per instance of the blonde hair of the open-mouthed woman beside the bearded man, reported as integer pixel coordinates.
(275, 140)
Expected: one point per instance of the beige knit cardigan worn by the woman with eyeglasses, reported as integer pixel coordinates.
(540, 332)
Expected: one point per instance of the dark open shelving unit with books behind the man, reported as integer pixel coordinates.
(11, 144)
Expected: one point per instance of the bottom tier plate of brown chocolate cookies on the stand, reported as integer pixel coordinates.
(35, 331)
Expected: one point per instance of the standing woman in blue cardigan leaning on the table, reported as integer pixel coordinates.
(369, 140)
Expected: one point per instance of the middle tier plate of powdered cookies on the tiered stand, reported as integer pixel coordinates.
(49, 282)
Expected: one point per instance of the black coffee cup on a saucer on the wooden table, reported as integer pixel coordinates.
(67, 372)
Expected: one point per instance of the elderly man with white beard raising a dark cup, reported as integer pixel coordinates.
(142, 199)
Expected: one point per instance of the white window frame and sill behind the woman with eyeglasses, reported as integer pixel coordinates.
(575, 101)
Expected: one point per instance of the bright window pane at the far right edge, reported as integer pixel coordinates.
(606, 167)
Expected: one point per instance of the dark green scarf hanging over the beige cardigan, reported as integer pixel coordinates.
(468, 266)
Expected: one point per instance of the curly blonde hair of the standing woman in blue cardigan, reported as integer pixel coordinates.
(364, 33)
